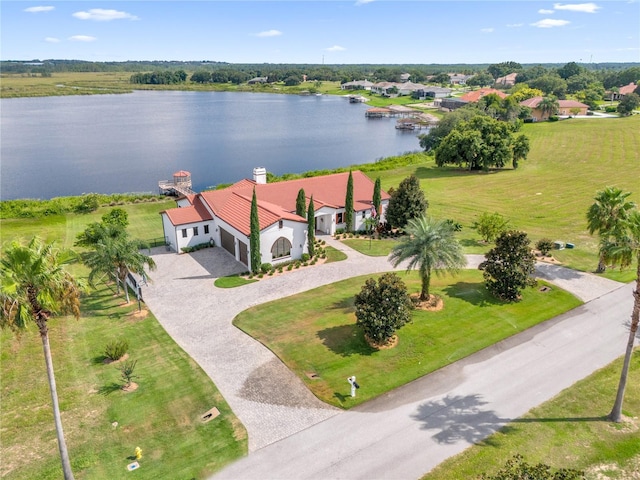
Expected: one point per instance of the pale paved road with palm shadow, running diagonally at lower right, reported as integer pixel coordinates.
(407, 432)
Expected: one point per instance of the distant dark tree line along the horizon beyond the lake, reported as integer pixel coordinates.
(610, 75)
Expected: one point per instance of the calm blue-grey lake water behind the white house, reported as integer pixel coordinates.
(57, 146)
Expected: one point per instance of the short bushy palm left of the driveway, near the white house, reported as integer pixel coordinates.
(117, 256)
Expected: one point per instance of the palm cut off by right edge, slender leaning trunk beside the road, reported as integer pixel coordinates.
(621, 250)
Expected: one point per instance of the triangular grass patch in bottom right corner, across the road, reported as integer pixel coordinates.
(568, 431)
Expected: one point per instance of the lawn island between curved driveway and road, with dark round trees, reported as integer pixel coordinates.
(315, 332)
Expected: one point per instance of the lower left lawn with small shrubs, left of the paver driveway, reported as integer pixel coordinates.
(162, 416)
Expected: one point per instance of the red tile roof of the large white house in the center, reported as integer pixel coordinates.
(276, 201)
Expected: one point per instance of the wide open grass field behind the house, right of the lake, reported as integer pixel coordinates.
(549, 194)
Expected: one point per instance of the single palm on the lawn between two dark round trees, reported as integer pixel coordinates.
(430, 246)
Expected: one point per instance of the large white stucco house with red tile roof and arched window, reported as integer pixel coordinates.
(223, 216)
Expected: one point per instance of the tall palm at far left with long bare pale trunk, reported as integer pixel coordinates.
(33, 287)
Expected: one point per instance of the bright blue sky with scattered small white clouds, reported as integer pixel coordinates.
(364, 31)
